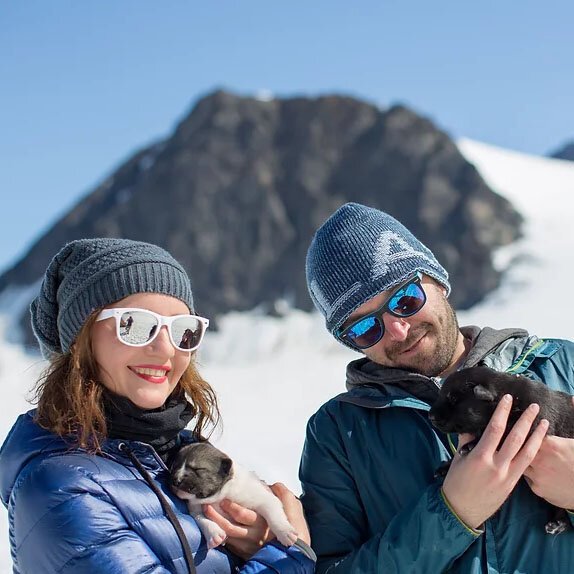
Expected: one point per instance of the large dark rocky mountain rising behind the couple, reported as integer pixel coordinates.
(241, 186)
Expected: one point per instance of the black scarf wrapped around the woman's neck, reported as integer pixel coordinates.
(159, 428)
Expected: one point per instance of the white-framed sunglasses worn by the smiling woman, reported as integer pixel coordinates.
(139, 327)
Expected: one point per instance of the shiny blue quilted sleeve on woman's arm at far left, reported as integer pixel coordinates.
(67, 523)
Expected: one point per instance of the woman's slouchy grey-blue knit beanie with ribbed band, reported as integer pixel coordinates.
(88, 274)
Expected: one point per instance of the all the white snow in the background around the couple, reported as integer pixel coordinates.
(271, 374)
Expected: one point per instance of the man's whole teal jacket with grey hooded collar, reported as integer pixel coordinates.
(367, 473)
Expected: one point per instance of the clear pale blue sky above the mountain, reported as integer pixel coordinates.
(85, 83)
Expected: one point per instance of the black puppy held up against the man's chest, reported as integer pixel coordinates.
(468, 398)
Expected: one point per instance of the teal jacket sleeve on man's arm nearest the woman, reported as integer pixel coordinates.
(424, 537)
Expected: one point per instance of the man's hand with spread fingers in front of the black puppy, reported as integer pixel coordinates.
(478, 483)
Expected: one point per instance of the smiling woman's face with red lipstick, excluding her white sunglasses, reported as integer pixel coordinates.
(145, 375)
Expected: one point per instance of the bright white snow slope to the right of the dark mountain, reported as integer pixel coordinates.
(539, 269)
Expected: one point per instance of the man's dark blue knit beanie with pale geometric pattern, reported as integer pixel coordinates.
(358, 253)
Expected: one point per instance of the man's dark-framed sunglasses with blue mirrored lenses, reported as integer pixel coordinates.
(367, 331)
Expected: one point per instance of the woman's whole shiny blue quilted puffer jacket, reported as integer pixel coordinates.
(70, 511)
